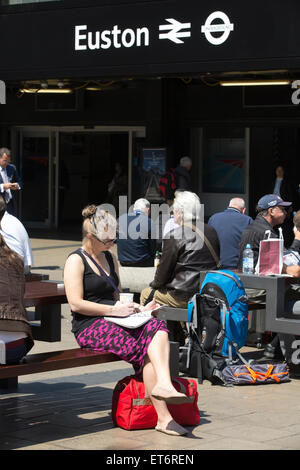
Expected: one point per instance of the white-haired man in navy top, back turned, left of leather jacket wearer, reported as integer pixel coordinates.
(136, 243)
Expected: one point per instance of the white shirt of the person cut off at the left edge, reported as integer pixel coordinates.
(16, 237)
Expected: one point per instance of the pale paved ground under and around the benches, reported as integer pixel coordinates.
(71, 409)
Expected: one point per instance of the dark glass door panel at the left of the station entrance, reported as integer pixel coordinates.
(37, 160)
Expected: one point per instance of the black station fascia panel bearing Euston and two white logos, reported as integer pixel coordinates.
(112, 38)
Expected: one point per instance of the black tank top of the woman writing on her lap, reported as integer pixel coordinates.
(96, 288)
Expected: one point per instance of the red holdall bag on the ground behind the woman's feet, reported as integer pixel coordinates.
(132, 409)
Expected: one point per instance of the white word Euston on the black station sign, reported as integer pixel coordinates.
(91, 40)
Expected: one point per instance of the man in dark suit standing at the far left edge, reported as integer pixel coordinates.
(9, 181)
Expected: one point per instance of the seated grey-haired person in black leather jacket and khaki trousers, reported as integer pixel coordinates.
(184, 255)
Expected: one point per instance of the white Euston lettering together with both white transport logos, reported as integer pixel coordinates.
(140, 37)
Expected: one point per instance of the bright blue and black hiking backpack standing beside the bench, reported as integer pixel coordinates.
(218, 326)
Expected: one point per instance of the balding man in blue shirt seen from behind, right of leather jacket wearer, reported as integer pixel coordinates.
(229, 226)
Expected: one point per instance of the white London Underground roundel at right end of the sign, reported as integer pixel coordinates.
(224, 27)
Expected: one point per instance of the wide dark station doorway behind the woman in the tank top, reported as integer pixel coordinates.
(64, 169)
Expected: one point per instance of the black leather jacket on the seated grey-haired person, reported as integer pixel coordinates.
(183, 256)
